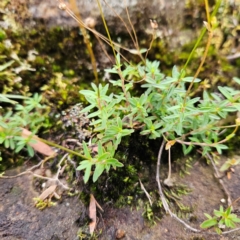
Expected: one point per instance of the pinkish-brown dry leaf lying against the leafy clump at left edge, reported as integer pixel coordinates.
(38, 146)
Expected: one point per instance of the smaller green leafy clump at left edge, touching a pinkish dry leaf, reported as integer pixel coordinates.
(30, 115)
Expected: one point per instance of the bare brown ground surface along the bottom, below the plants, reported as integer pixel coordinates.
(19, 219)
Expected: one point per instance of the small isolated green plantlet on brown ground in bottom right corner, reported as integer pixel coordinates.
(221, 220)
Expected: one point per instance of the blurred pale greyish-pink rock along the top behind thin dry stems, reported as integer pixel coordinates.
(170, 11)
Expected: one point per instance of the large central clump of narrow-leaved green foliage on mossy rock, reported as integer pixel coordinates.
(163, 110)
